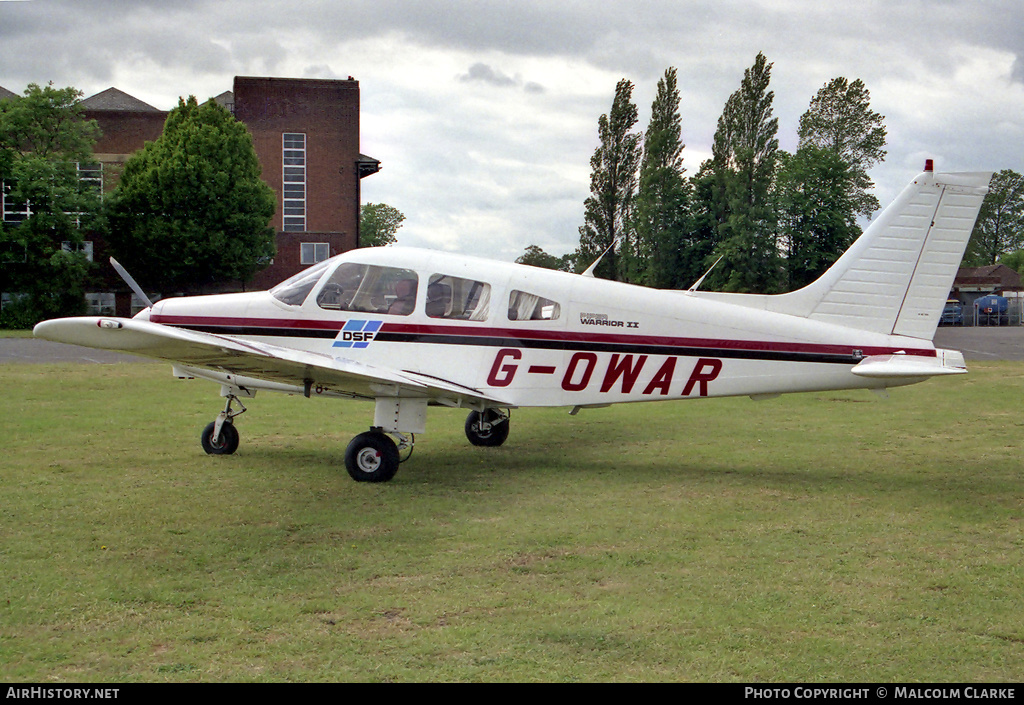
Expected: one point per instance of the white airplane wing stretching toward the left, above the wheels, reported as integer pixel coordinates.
(260, 361)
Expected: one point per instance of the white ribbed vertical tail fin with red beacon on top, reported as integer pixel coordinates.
(897, 277)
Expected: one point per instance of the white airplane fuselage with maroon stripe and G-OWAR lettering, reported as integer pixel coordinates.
(536, 338)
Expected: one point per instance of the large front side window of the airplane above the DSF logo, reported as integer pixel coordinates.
(370, 289)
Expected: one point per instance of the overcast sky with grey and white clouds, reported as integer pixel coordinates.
(485, 113)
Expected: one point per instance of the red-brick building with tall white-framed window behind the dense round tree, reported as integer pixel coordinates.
(307, 136)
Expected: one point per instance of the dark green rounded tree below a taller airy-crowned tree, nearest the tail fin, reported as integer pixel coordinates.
(817, 196)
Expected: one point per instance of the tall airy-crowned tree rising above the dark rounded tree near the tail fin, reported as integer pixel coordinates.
(840, 119)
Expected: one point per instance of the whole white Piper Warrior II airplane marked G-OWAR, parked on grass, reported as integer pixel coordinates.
(410, 328)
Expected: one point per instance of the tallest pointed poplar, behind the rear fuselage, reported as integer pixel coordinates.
(744, 162)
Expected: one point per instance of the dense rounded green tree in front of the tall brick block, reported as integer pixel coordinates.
(191, 209)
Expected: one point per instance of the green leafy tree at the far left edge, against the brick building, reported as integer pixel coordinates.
(45, 139)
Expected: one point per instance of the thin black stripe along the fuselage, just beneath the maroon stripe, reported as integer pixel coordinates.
(532, 344)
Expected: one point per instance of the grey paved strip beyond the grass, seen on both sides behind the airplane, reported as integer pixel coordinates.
(976, 344)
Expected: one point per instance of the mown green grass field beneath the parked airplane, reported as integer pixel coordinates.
(829, 537)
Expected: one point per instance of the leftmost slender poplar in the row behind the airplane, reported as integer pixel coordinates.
(608, 214)
